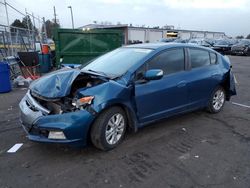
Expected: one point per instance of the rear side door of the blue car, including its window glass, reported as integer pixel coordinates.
(205, 75)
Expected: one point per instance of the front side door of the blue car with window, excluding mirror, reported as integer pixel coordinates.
(159, 98)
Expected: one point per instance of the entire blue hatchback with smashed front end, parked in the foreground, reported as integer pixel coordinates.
(127, 88)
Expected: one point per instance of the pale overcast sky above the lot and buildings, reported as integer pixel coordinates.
(229, 16)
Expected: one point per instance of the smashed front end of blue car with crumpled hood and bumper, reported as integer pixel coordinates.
(53, 111)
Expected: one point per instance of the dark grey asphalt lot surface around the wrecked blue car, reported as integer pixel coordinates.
(197, 149)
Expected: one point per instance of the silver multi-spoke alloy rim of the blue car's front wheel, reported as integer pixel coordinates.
(115, 128)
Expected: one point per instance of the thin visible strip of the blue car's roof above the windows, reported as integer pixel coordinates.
(163, 45)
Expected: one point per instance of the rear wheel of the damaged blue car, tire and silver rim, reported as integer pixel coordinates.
(217, 100)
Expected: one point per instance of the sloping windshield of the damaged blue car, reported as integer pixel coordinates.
(117, 62)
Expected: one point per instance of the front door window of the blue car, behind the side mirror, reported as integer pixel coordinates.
(170, 61)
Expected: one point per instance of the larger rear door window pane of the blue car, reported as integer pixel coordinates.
(199, 58)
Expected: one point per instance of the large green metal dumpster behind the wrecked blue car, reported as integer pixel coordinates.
(76, 46)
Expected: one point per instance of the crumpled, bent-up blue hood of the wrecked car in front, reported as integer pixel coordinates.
(56, 84)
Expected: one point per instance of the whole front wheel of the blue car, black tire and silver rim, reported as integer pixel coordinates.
(109, 129)
